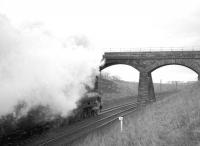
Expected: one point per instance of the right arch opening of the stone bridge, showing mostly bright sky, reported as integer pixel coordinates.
(172, 77)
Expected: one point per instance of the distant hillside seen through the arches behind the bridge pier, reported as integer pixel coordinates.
(117, 89)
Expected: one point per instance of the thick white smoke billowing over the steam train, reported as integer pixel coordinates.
(37, 69)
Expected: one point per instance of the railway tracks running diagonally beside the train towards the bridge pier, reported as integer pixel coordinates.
(79, 129)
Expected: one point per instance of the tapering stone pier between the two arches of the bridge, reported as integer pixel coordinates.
(145, 89)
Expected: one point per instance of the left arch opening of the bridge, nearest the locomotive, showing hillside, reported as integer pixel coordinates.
(119, 81)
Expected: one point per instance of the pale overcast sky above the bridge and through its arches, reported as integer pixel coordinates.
(115, 24)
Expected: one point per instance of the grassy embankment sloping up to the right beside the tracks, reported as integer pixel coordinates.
(172, 121)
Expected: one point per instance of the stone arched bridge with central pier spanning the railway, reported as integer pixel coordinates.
(146, 62)
